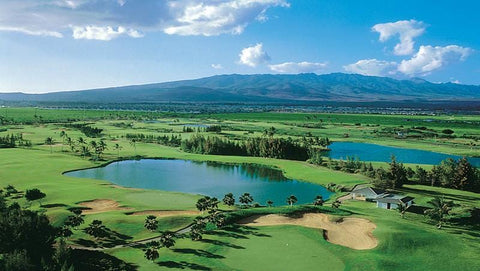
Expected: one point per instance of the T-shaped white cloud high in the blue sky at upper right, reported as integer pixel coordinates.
(406, 30)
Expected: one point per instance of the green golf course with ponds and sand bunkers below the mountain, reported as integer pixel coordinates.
(122, 169)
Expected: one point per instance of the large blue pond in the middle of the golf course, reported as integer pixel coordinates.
(206, 178)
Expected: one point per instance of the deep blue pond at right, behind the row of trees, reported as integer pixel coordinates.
(379, 153)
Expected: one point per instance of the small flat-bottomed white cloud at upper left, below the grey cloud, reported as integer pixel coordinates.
(103, 32)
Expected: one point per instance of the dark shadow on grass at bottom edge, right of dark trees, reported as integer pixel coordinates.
(98, 261)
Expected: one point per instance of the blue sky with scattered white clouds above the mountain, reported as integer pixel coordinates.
(59, 45)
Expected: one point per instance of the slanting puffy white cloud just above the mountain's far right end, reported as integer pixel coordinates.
(429, 58)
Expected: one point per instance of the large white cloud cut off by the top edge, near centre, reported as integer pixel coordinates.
(210, 18)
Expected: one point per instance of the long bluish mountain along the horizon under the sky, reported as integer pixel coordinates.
(264, 88)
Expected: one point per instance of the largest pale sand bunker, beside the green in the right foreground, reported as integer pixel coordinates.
(352, 232)
